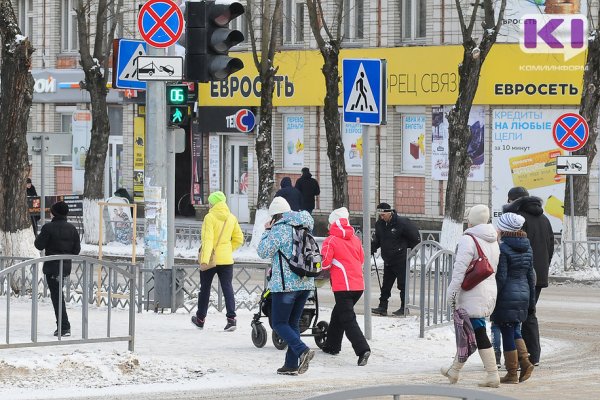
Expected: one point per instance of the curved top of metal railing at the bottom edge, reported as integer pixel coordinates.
(396, 391)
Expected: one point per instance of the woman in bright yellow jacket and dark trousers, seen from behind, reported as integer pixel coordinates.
(221, 226)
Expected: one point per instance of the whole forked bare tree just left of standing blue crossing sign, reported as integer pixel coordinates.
(329, 46)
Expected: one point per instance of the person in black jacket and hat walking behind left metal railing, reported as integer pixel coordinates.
(58, 237)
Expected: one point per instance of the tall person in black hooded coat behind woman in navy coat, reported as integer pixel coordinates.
(541, 237)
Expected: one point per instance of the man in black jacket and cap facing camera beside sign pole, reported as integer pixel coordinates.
(394, 234)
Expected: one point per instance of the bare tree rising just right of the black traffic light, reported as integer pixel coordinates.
(269, 16)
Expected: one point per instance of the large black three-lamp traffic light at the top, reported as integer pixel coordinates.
(208, 40)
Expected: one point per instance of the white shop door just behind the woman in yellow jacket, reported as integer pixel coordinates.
(237, 179)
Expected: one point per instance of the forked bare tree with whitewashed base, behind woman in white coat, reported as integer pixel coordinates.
(459, 134)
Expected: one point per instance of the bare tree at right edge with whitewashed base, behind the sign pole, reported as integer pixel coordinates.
(588, 109)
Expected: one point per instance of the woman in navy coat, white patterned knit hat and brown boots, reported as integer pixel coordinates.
(515, 279)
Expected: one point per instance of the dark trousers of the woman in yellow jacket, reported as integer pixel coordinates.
(225, 273)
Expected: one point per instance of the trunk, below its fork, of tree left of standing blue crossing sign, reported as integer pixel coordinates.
(335, 145)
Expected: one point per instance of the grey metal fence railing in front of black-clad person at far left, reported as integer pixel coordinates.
(118, 283)
